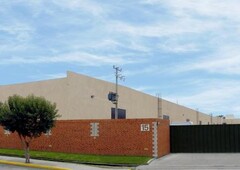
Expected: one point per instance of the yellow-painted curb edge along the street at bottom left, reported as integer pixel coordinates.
(32, 165)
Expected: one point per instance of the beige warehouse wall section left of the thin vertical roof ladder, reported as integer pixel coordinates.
(82, 97)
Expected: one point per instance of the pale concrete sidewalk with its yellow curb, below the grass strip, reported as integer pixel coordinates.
(52, 165)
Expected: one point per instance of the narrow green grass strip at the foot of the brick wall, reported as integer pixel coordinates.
(80, 158)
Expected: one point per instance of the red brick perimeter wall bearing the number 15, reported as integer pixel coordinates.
(116, 137)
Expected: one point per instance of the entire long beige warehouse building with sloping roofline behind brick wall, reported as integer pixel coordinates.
(82, 97)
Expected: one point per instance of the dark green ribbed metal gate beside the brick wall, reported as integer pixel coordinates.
(205, 138)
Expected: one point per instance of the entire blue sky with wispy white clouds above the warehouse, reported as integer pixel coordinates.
(186, 51)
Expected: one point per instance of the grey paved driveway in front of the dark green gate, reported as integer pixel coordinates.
(195, 161)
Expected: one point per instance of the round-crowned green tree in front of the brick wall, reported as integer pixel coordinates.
(29, 116)
